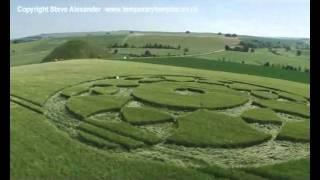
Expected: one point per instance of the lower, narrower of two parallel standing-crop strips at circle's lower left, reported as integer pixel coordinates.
(111, 136)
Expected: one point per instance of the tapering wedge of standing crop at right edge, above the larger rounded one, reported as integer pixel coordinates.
(285, 107)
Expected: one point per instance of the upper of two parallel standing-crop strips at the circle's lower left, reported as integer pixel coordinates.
(128, 130)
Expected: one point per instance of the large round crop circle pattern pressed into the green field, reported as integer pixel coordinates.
(149, 113)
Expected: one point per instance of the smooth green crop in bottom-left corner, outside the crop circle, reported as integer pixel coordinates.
(38, 150)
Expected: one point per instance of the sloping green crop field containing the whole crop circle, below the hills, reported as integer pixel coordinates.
(99, 119)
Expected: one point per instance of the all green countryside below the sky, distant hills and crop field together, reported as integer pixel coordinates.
(200, 113)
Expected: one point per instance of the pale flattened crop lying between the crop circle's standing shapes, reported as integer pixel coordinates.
(269, 152)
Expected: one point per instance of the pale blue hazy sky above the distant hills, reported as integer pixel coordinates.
(270, 18)
